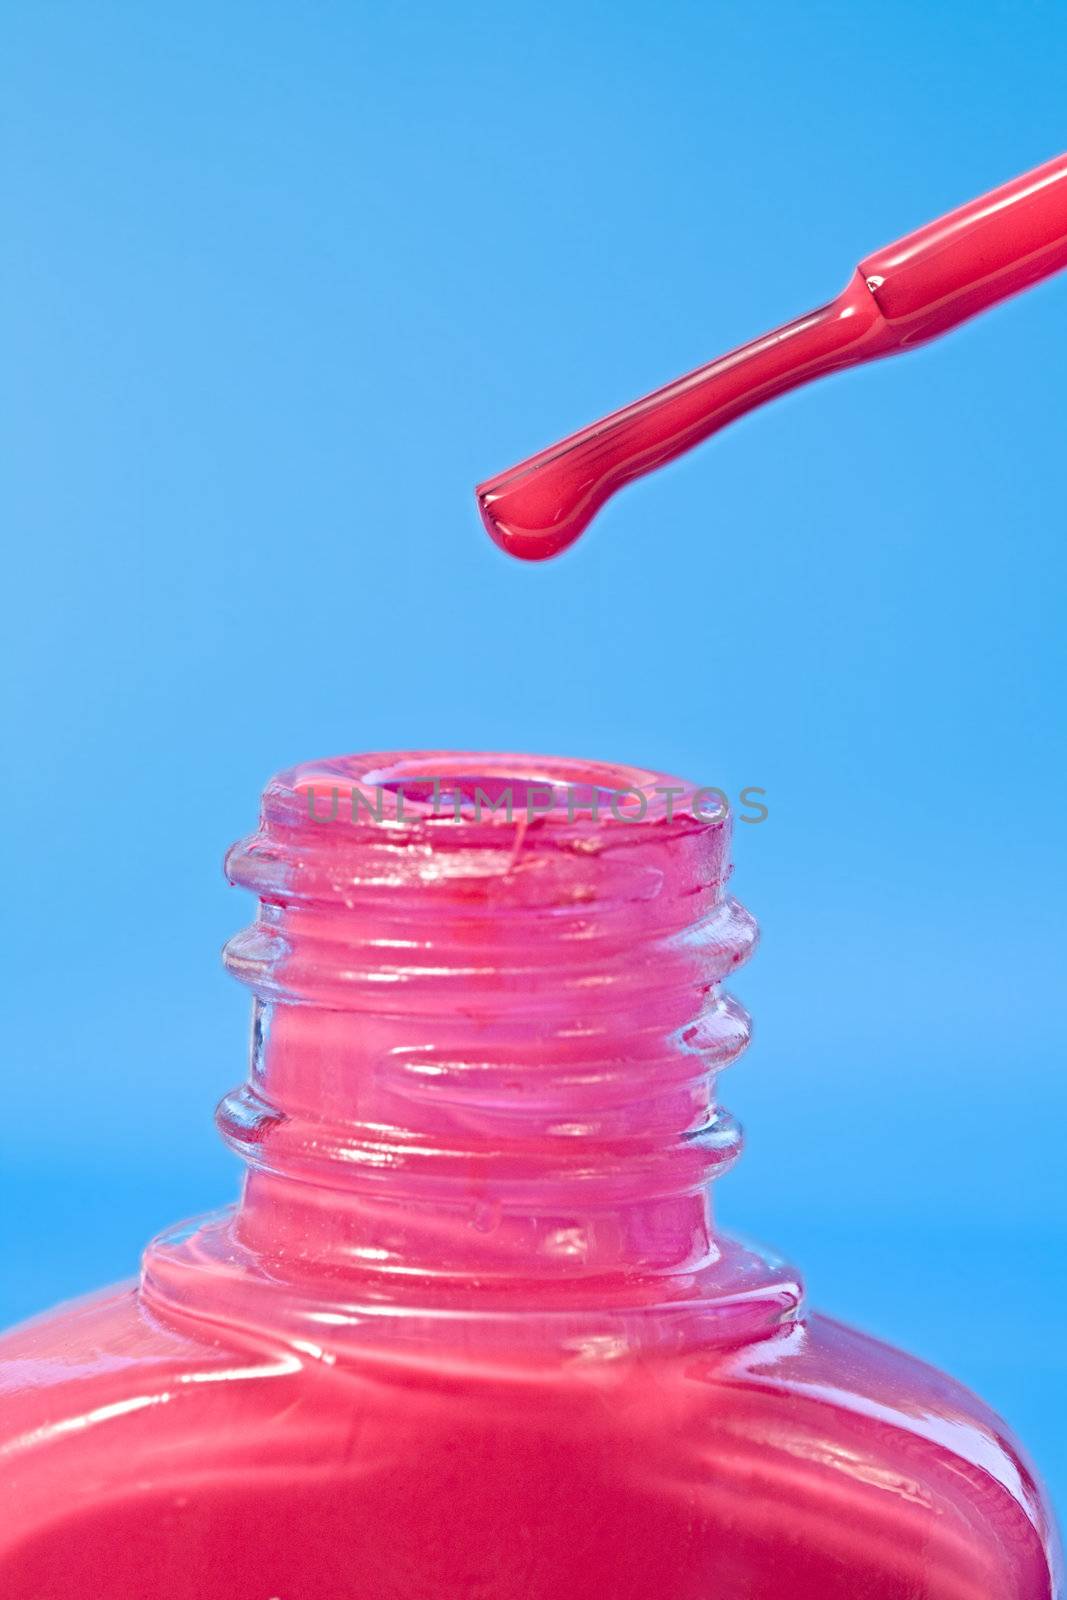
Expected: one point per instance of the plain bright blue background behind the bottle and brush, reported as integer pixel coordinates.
(286, 282)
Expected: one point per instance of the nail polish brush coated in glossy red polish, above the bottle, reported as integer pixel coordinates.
(911, 292)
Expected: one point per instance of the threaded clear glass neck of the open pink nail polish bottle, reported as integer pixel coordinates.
(486, 1049)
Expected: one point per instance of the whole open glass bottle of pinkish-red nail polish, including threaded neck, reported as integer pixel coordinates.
(471, 1329)
